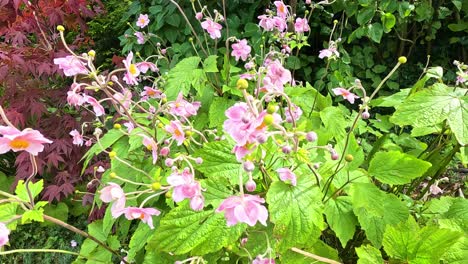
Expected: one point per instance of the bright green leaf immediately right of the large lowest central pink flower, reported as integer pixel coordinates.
(296, 211)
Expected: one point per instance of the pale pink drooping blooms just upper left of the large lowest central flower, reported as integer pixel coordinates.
(186, 187)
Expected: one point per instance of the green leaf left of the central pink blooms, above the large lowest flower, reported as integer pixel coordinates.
(218, 160)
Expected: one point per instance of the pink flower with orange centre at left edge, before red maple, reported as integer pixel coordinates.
(29, 140)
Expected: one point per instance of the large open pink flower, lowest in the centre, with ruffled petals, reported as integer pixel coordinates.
(245, 209)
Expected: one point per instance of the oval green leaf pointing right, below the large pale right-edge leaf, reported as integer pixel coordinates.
(394, 167)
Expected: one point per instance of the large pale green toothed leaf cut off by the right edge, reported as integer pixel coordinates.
(434, 105)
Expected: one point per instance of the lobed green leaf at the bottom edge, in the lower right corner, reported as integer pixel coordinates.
(407, 242)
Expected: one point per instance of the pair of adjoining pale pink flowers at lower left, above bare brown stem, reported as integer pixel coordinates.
(115, 194)
